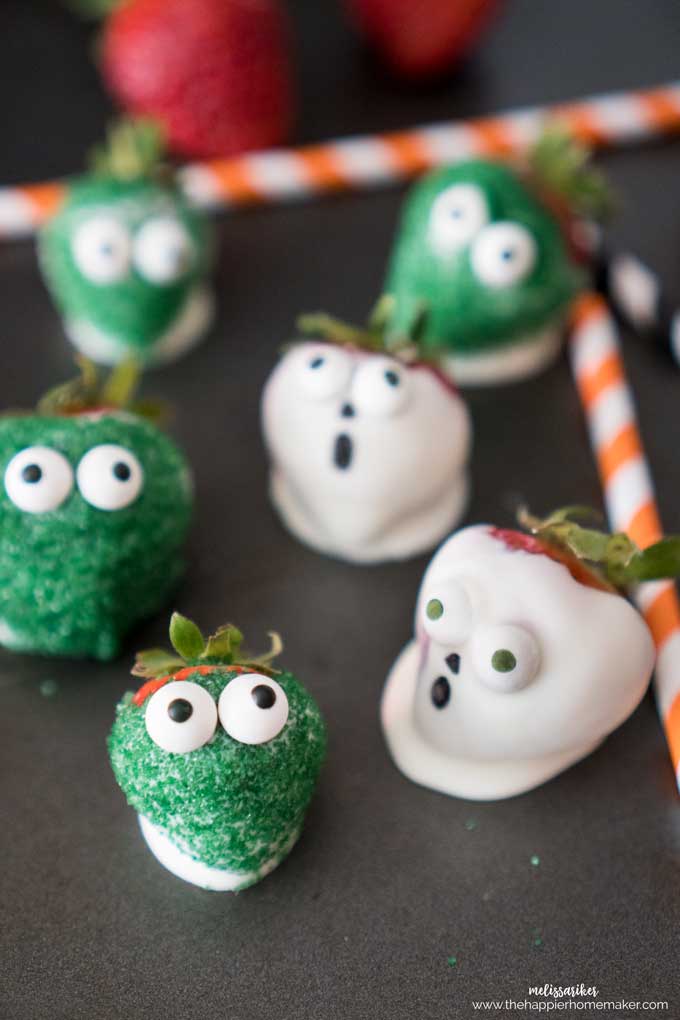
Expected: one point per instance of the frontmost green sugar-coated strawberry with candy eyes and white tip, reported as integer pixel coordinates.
(220, 754)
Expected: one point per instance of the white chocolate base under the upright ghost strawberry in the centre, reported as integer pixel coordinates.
(403, 540)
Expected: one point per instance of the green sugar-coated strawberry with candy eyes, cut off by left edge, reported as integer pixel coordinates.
(96, 504)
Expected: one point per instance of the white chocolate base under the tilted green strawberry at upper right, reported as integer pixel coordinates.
(515, 362)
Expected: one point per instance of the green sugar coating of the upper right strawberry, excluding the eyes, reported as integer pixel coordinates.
(465, 315)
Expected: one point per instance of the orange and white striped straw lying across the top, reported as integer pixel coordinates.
(373, 161)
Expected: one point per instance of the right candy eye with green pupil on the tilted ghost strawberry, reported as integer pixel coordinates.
(506, 657)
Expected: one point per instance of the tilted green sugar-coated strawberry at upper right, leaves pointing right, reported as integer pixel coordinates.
(486, 252)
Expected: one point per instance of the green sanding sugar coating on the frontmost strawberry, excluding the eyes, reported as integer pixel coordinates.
(229, 805)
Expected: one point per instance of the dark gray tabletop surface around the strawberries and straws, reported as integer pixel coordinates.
(388, 881)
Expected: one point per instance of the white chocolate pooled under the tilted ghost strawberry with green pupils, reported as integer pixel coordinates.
(470, 780)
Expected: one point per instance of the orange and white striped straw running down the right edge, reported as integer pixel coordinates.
(629, 488)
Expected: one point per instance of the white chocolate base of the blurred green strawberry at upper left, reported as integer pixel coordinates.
(185, 334)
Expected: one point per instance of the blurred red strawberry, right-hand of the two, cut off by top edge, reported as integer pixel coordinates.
(420, 38)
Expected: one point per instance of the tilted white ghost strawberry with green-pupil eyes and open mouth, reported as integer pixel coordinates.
(527, 655)
